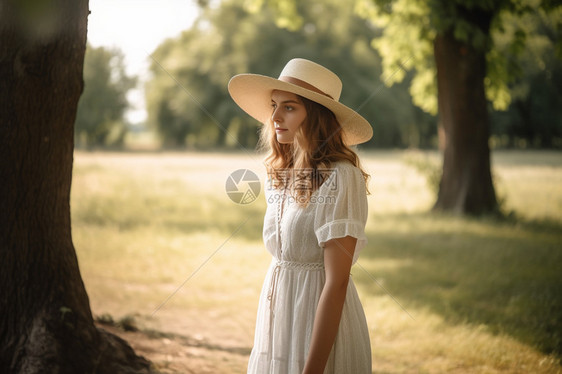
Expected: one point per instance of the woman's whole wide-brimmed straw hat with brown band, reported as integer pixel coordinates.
(252, 92)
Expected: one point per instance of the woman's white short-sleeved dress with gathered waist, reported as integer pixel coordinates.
(295, 278)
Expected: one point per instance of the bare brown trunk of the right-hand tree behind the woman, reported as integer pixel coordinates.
(466, 185)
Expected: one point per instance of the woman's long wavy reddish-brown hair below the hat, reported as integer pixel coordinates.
(301, 166)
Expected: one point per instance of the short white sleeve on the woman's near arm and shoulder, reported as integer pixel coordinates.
(341, 206)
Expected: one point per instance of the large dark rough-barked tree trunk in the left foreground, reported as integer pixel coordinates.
(46, 324)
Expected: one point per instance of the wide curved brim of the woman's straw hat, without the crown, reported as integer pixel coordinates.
(252, 93)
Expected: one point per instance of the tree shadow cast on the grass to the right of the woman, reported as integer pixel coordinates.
(506, 275)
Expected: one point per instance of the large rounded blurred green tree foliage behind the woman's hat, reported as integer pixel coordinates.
(187, 98)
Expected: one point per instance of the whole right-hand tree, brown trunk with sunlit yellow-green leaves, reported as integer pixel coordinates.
(450, 46)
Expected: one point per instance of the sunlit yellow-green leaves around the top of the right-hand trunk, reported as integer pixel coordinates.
(410, 27)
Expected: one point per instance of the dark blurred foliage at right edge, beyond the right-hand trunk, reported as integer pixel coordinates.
(534, 118)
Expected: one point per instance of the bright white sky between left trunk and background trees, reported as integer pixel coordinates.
(137, 27)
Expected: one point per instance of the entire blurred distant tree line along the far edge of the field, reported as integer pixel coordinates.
(188, 104)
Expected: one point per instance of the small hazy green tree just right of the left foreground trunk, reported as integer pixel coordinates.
(99, 120)
